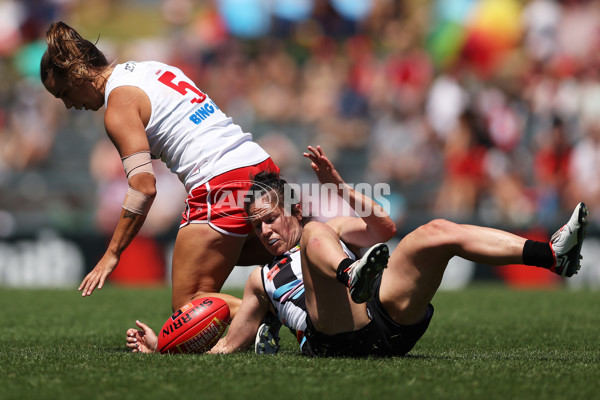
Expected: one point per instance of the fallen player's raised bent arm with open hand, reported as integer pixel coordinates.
(374, 224)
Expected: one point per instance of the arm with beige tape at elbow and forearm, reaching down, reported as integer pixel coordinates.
(128, 110)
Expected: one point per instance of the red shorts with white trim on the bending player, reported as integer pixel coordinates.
(219, 202)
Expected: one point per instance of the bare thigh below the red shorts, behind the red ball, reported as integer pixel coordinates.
(202, 260)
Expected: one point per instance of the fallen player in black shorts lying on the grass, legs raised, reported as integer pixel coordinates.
(340, 306)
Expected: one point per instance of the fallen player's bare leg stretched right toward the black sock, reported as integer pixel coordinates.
(417, 265)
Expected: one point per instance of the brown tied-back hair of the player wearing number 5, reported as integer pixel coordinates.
(69, 55)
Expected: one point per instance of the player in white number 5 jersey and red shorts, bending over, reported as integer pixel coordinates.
(153, 111)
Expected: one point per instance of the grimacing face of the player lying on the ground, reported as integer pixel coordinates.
(277, 230)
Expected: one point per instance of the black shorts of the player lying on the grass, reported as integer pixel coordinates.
(382, 337)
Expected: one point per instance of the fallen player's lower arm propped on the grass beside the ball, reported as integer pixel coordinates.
(243, 328)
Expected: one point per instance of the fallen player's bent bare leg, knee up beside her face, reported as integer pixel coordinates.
(328, 302)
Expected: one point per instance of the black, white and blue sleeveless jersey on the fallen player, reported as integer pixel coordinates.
(282, 281)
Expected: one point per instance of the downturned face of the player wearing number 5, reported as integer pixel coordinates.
(80, 95)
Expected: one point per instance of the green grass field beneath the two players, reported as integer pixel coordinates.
(483, 343)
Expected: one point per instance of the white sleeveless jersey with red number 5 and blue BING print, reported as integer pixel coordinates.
(186, 130)
